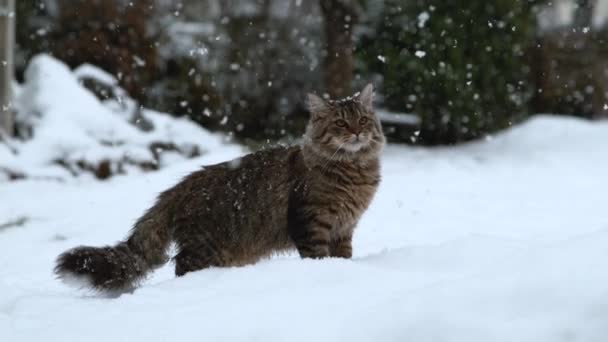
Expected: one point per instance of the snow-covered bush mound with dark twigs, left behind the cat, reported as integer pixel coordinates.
(65, 130)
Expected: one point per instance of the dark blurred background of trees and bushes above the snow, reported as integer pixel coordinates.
(445, 71)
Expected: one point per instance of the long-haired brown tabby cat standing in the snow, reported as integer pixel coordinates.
(309, 196)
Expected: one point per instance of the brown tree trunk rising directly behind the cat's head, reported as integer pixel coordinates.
(339, 17)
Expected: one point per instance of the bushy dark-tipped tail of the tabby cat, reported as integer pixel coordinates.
(119, 268)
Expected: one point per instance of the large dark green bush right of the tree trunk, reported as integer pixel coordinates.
(460, 65)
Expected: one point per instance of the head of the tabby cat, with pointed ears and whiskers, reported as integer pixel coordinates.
(344, 129)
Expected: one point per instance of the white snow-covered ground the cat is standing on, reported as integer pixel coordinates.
(499, 240)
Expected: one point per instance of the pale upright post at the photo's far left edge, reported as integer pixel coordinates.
(7, 48)
